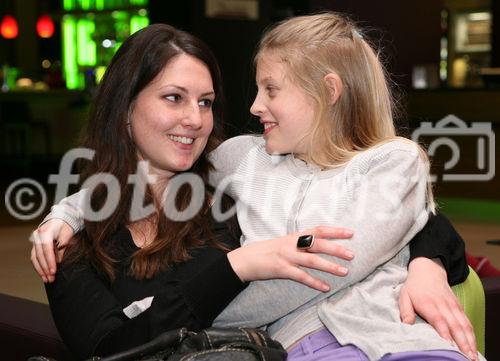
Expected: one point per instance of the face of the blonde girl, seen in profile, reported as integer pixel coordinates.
(283, 108)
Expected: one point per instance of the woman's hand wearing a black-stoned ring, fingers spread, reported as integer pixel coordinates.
(280, 257)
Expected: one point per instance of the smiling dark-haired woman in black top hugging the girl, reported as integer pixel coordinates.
(124, 281)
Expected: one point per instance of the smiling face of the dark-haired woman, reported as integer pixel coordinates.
(171, 118)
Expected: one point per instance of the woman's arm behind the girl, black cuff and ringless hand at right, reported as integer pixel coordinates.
(437, 260)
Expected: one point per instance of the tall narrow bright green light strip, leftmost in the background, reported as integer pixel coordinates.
(69, 52)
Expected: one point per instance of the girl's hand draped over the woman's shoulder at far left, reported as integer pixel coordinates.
(43, 253)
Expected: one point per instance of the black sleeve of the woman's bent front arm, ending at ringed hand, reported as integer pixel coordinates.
(91, 321)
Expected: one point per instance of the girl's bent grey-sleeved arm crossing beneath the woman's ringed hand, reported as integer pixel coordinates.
(387, 208)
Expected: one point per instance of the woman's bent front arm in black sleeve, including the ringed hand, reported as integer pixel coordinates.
(91, 320)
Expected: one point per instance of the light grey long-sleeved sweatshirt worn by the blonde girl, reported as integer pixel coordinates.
(380, 194)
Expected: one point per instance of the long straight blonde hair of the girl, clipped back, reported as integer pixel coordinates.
(313, 46)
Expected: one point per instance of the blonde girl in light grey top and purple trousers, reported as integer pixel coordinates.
(330, 155)
